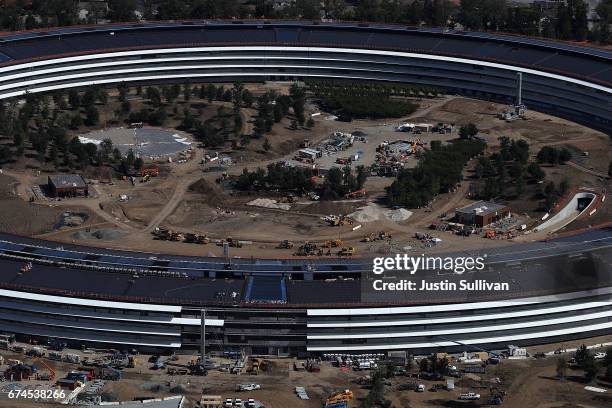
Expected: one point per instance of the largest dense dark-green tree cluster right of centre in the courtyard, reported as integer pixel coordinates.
(439, 170)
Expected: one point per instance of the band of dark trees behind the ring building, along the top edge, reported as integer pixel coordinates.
(567, 21)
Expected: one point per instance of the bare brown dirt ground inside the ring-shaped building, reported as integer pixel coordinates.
(174, 201)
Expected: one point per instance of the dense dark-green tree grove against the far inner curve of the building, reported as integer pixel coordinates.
(350, 100)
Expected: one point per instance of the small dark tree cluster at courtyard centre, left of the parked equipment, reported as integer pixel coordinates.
(276, 176)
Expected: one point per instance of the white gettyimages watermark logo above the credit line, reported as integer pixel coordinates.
(412, 264)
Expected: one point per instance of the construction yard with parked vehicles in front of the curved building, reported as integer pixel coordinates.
(62, 376)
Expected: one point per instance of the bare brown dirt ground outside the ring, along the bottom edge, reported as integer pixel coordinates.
(527, 383)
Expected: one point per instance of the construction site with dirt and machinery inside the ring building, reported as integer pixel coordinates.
(191, 199)
